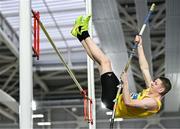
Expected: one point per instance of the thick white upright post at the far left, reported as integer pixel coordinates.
(25, 112)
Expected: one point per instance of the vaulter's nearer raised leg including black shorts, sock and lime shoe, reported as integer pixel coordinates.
(108, 79)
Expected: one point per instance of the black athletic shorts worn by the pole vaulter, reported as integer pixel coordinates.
(109, 82)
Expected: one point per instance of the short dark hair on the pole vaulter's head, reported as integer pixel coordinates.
(167, 85)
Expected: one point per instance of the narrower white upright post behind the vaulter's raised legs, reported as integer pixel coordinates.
(90, 68)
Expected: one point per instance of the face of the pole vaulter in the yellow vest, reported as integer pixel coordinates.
(157, 86)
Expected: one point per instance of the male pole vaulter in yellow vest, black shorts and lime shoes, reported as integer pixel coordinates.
(143, 104)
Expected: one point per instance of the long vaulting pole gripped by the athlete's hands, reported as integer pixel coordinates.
(128, 63)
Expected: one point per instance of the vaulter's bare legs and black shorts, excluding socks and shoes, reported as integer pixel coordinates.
(109, 80)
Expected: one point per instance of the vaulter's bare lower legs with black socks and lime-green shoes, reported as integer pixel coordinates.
(80, 30)
